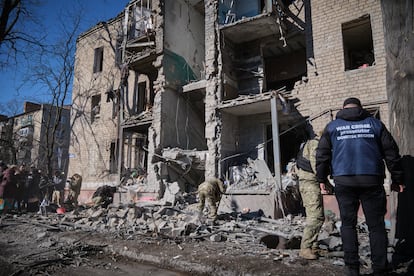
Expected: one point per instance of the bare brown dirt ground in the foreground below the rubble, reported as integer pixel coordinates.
(34, 245)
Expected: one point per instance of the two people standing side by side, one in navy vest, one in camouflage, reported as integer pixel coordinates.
(352, 151)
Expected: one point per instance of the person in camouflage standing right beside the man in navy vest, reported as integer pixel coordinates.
(312, 198)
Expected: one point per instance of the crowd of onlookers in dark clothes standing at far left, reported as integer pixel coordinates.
(23, 189)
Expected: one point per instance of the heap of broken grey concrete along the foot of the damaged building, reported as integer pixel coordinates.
(183, 221)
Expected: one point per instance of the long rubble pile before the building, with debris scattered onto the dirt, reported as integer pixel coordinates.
(180, 225)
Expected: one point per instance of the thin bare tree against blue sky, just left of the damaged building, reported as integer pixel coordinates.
(53, 72)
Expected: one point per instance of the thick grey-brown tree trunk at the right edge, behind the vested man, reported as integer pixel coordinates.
(399, 46)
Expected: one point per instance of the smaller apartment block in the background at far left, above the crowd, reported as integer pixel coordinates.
(38, 137)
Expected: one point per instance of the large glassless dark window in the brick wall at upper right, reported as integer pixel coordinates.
(358, 44)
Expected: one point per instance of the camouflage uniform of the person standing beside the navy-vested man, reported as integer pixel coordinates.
(311, 197)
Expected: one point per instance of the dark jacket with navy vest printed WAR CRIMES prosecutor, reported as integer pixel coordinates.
(353, 149)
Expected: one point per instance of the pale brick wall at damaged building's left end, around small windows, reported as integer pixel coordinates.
(91, 139)
